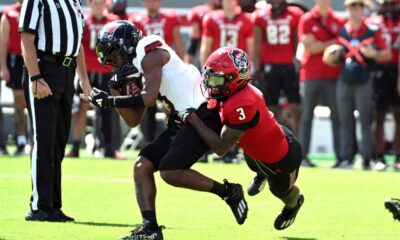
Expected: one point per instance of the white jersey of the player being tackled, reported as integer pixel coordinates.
(180, 83)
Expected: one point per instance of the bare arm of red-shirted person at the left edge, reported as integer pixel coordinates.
(5, 36)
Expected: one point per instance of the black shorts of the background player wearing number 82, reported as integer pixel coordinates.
(280, 77)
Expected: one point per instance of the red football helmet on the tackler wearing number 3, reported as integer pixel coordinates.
(226, 71)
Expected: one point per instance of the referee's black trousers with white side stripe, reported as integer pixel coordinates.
(50, 120)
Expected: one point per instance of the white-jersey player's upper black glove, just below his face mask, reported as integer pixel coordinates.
(126, 73)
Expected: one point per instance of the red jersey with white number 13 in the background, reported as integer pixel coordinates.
(228, 32)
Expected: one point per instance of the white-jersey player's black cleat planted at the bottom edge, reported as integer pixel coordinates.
(143, 232)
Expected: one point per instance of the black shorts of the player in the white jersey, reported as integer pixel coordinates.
(172, 151)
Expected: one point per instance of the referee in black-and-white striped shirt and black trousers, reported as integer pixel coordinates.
(51, 32)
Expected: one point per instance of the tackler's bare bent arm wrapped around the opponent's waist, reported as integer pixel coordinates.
(218, 144)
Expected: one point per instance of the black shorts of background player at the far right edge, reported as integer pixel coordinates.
(385, 87)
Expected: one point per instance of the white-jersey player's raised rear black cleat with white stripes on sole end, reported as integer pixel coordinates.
(236, 201)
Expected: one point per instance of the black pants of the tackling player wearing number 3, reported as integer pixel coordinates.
(283, 174)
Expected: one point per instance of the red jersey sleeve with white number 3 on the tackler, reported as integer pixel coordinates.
(241, 117)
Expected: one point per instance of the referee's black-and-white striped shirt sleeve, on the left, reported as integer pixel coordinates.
(29, 17)
